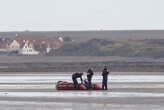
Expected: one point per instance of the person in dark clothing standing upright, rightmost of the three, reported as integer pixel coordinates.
(105, 73)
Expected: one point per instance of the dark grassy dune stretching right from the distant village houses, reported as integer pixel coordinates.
(152, 48)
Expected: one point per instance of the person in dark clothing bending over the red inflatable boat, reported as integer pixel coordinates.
(74, 78)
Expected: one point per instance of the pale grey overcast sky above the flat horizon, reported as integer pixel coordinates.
(54, 15)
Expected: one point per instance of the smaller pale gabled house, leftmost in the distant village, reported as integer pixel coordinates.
(14, 46)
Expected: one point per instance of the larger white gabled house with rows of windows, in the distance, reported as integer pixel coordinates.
(28, 49)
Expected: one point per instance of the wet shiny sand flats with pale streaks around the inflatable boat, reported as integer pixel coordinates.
(35, 92)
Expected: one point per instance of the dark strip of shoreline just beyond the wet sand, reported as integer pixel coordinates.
(82, 67)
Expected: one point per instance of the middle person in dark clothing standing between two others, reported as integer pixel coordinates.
(89, 77)
